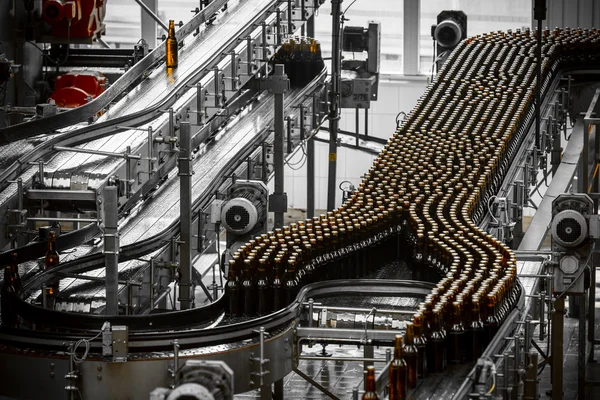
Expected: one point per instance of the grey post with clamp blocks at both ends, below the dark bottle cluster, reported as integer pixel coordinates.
(279, 85)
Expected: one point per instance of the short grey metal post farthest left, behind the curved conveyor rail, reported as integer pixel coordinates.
(111, 249)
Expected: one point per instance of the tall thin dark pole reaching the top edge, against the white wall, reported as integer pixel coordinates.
(334, 113)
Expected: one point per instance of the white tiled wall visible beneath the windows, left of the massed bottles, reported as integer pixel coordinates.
(395, 95)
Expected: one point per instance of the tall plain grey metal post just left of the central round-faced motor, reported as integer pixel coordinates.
(185, 220)
